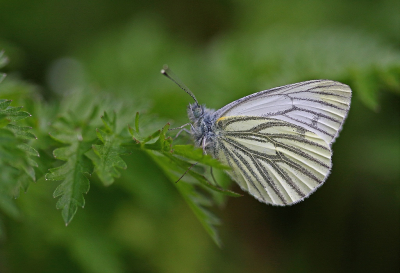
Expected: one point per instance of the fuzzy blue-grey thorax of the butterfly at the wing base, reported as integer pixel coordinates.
(203, 131)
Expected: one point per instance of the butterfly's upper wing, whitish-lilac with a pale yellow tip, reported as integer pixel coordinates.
(319, 106)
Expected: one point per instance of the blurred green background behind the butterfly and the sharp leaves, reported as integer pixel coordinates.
(222, 50)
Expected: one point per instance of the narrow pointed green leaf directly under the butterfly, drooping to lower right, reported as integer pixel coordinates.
(174, 161)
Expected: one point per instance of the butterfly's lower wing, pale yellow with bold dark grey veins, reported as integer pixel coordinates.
(276, 161)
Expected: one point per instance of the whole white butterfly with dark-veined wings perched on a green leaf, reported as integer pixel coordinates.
(276, 142)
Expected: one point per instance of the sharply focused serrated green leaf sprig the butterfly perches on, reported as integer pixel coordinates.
(86, 147)
